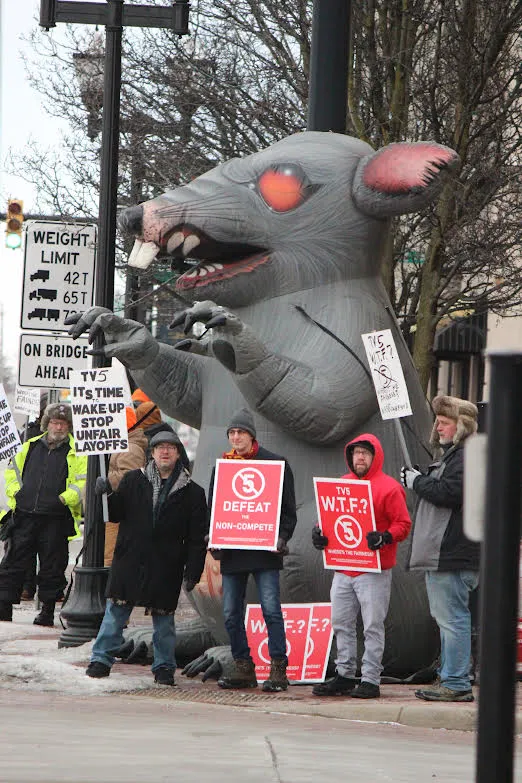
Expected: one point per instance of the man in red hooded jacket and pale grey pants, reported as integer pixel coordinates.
(367, 592)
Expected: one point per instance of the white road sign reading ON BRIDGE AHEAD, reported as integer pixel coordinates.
(47, 360)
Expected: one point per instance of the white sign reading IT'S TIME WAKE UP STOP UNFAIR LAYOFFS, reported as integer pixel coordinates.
(98, 399)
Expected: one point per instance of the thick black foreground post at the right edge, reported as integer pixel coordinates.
(500, 577)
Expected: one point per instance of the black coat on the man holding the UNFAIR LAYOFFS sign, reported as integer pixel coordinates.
(150, 560)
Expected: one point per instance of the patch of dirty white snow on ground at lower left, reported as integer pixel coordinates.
(30, 660)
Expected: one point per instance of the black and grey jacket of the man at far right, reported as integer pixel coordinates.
(438, 542)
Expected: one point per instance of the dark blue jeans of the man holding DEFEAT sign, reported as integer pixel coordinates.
(234, 591)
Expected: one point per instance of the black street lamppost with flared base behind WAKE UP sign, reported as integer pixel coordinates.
(85, 608)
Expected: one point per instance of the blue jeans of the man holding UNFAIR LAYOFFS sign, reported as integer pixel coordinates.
(110, 636)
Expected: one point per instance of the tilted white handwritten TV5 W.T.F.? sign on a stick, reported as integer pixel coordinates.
(387, 375)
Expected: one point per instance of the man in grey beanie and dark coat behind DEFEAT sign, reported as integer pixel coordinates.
(238, 564)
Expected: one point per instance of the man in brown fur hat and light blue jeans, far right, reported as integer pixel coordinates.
(440, 548)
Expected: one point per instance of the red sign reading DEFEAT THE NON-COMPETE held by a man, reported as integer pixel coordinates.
(246, 504)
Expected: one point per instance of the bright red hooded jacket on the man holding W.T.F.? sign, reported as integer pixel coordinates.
(389, 501)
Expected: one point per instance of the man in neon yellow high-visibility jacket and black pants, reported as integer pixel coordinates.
(44, 483)
